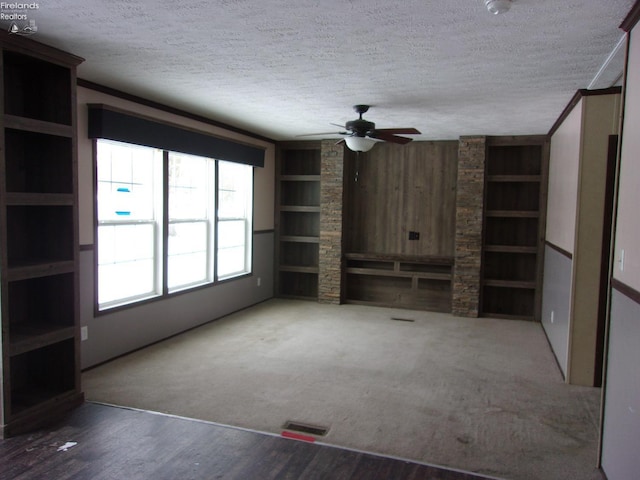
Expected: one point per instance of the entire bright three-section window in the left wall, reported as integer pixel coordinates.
(151, 242)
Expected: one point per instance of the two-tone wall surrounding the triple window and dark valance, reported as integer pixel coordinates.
(115, 333)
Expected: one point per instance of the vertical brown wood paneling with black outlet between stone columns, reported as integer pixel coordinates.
(396, 189)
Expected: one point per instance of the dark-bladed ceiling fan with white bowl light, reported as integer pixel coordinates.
(360, 134)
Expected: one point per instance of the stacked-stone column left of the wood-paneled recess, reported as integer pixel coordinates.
(331, 199)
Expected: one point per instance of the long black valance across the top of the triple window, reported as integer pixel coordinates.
(111, 124)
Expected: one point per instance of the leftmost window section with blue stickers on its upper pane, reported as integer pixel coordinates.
(128, 218)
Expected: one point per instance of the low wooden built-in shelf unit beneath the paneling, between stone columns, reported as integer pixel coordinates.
(408, 281)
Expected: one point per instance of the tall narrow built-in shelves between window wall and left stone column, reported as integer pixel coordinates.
(298, 219)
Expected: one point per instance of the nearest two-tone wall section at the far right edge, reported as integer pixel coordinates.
(621, 424)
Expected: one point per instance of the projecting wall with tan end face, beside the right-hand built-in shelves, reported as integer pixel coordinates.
(574, 231)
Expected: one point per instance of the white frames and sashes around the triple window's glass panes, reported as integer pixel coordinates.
(162, 241)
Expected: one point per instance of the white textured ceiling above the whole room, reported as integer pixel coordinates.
(285, 68)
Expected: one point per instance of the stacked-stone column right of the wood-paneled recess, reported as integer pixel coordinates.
(469, 215)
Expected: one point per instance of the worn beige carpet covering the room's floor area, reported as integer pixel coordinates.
(481, 395)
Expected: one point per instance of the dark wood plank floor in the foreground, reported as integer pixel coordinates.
(118, 443)
